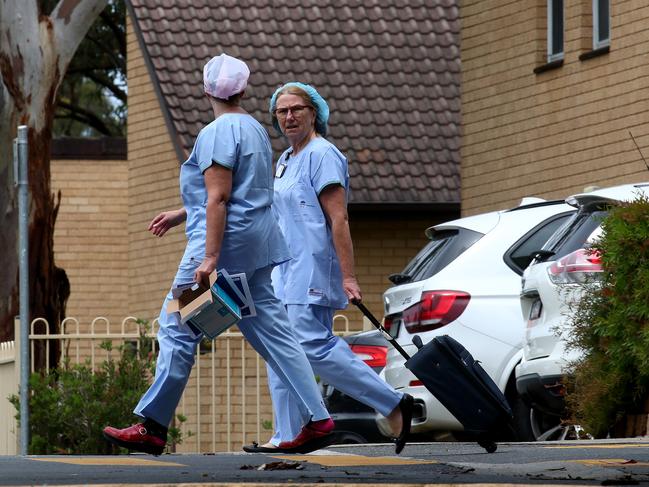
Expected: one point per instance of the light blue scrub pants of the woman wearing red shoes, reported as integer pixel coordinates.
(268, 333)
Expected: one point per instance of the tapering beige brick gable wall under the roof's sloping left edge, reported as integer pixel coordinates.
(153, 187)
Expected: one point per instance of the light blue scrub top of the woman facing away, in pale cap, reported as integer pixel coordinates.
(252, 239)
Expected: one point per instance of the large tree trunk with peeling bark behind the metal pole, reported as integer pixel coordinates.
(35, 51)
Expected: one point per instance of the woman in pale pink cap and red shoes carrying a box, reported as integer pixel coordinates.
(226, 188)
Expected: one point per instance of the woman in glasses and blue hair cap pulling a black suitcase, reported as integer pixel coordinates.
(311, 187)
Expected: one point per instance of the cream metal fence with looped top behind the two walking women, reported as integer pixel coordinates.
(226, 401)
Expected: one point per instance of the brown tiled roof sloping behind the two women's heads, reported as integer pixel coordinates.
(389, 69)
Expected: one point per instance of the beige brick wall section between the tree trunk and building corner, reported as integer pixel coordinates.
(91, 238)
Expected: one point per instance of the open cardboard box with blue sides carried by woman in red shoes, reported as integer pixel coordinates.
(210, 311)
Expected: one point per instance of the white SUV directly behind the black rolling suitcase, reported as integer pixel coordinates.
(466, 283)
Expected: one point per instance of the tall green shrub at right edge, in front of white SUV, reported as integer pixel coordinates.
(611, 325)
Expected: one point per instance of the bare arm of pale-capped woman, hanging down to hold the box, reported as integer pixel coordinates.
(218, 182)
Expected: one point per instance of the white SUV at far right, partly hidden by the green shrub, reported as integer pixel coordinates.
(550, 290)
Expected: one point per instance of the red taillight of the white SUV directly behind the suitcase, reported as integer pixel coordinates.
(436, 309)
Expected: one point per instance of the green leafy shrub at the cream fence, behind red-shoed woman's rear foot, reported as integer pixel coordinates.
(71, 405)
